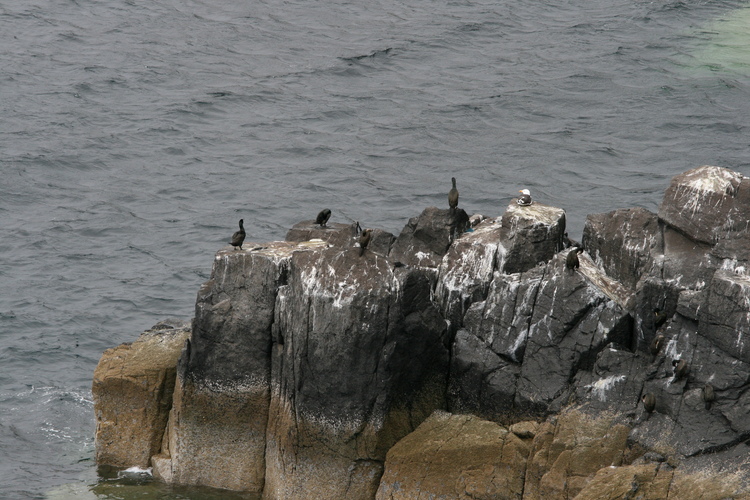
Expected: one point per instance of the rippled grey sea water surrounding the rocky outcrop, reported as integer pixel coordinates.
(134, 135)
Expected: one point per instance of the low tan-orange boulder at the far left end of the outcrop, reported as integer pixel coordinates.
(132, 389)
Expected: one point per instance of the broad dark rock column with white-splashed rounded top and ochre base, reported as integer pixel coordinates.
(362, 360)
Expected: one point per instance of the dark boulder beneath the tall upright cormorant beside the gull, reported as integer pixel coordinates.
(425, 239)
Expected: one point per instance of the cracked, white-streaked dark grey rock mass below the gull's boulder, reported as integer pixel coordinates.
(534, 331)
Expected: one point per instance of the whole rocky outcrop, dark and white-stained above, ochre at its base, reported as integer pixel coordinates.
(458, 360)
